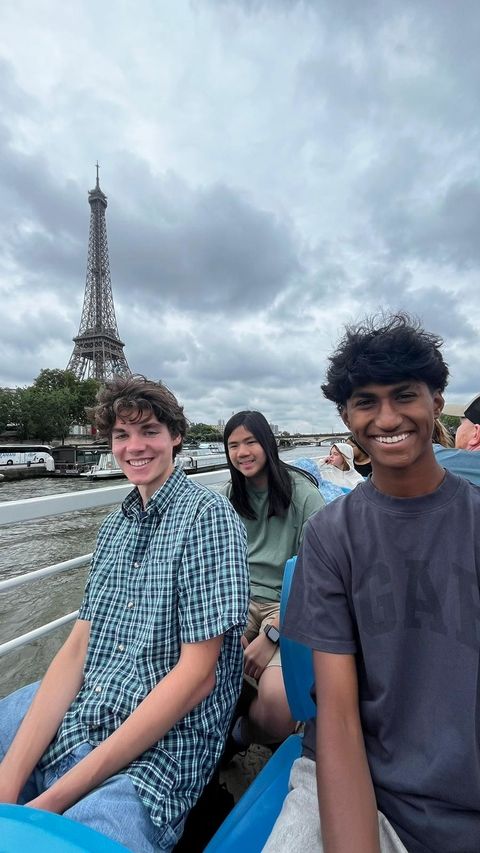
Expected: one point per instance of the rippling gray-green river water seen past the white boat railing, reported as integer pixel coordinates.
(27, 546)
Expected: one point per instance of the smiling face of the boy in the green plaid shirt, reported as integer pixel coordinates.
(144, 452)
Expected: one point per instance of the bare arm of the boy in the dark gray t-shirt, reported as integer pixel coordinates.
(348, 809)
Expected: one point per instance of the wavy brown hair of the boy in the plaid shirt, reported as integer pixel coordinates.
(131, 397)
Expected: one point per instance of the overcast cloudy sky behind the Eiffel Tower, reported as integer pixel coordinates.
(274, 169)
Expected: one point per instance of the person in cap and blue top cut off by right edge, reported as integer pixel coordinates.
(462, 460)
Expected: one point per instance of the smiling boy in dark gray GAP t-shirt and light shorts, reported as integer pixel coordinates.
(386, 593)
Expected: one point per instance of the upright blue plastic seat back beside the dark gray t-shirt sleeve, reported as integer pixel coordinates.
(297, 666)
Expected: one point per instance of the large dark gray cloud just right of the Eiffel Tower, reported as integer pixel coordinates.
(215, 252)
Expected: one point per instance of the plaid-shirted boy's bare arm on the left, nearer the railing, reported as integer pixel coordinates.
(56, 693)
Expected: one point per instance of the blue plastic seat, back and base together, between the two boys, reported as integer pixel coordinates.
(249, 824)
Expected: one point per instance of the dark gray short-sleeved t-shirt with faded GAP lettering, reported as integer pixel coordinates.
(395, 581)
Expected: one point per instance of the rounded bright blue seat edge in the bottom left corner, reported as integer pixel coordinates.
(22, 828)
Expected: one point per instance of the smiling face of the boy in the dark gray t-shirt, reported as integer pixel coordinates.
(394, 424)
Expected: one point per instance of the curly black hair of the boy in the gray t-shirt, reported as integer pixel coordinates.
(384, 349)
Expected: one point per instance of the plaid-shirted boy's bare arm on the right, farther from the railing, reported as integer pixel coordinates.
(187, 684)
